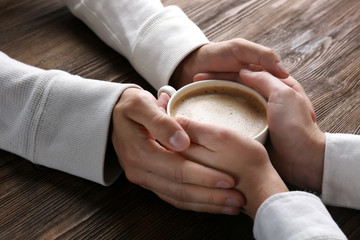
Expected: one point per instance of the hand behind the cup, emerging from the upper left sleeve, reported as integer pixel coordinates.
(223, 60)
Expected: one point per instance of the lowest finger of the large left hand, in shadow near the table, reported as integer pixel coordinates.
(201, 207)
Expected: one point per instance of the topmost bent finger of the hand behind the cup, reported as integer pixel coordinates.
(253, 53)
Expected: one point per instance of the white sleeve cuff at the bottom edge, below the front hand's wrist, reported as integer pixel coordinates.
(295, 216)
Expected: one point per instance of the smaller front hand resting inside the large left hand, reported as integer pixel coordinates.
(244, 158)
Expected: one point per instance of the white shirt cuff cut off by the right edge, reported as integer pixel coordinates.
(342, 170)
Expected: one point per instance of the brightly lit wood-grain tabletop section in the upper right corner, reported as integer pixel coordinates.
(317, 40)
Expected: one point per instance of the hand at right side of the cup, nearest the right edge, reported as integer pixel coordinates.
(297, 144)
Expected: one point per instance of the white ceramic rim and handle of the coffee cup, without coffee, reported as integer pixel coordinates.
(175, 95)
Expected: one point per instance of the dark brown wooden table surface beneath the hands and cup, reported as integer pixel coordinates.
(319, 42)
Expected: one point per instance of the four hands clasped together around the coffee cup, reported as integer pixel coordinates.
(196, 166)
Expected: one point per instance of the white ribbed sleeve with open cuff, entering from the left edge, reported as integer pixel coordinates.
(57, 120)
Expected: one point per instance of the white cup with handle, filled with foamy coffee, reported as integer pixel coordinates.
(223, 103)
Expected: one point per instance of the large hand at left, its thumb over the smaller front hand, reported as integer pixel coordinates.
(141, 129)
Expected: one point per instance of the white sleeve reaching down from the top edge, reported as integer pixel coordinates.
(152, 37)
